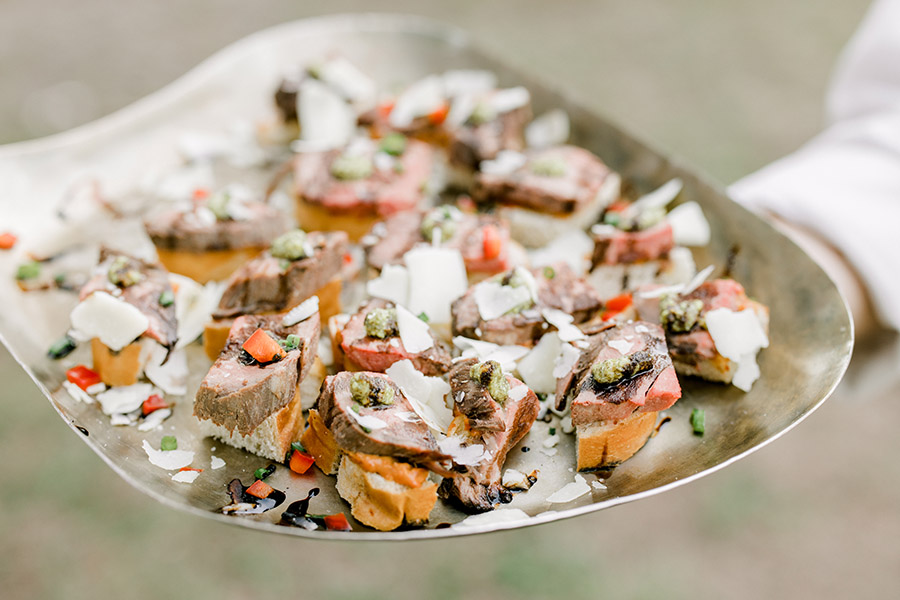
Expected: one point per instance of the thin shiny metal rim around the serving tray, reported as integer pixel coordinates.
(451, 35)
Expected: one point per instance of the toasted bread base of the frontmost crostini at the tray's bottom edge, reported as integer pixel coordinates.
(381, 502)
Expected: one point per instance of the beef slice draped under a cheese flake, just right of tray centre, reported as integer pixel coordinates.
(557, 287)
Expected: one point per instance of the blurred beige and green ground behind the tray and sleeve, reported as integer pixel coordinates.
(728, 87)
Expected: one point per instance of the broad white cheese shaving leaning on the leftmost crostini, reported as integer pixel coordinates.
(116, 322)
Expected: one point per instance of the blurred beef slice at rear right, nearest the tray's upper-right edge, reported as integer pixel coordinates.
(557, 181)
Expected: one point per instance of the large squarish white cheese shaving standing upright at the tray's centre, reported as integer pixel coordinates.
(437, 277)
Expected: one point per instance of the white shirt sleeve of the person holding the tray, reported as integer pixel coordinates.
(844, 184)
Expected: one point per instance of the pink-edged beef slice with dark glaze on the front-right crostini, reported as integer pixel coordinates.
(653, 387)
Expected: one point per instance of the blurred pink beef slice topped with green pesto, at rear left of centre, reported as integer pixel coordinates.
(379, 188)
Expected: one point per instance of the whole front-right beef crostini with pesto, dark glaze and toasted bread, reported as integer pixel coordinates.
(617, 386)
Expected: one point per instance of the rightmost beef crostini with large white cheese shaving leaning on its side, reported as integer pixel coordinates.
(714, 332)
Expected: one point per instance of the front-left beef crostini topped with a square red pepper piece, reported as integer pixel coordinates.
(250, 398)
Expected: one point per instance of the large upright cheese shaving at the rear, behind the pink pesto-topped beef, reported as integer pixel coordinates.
(325, 118)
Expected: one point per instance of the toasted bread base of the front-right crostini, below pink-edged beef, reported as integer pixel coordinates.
(605, 444)
